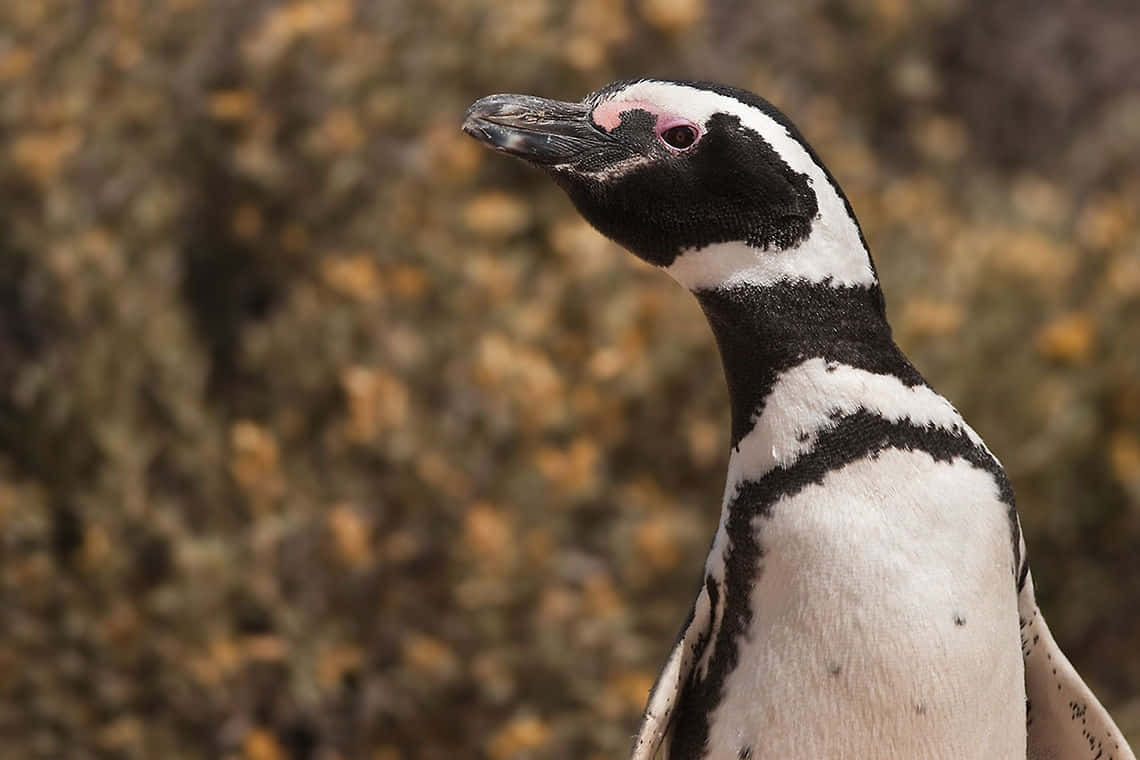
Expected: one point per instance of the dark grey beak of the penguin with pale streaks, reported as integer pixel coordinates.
(544, 133)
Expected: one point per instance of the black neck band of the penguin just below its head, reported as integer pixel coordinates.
(766, 329)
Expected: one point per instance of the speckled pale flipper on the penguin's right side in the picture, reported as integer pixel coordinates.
(1064, 720)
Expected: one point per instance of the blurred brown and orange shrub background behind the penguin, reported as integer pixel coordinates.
(325, 434)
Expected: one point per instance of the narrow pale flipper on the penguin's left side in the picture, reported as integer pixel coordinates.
(666, 692)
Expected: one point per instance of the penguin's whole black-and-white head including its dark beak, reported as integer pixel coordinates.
(711, 183)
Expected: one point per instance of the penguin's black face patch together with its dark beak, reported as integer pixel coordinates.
(656, 189)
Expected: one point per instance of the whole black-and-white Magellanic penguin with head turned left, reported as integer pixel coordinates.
(867, 594)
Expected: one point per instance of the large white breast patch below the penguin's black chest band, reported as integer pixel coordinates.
(885, 622)
